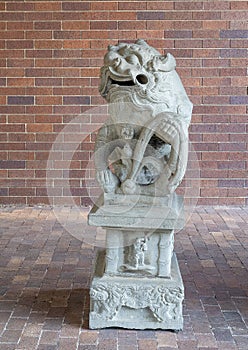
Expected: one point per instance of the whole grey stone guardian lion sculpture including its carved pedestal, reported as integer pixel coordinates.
(140, 158)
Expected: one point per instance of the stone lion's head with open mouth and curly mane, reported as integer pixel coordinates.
(139, 74)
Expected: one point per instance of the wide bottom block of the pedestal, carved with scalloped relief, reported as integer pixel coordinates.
(136, 303)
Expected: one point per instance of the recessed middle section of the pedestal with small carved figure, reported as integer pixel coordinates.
(139, 252)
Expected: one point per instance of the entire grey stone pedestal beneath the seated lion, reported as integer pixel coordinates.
(137, 283)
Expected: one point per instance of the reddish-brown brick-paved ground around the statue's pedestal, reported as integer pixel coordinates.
(45, 274)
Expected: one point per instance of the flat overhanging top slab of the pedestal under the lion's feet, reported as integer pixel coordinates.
(138, 214)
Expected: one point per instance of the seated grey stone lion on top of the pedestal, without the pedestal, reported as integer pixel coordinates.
(143, 146)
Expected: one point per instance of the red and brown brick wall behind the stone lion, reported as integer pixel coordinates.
(50, 54)
